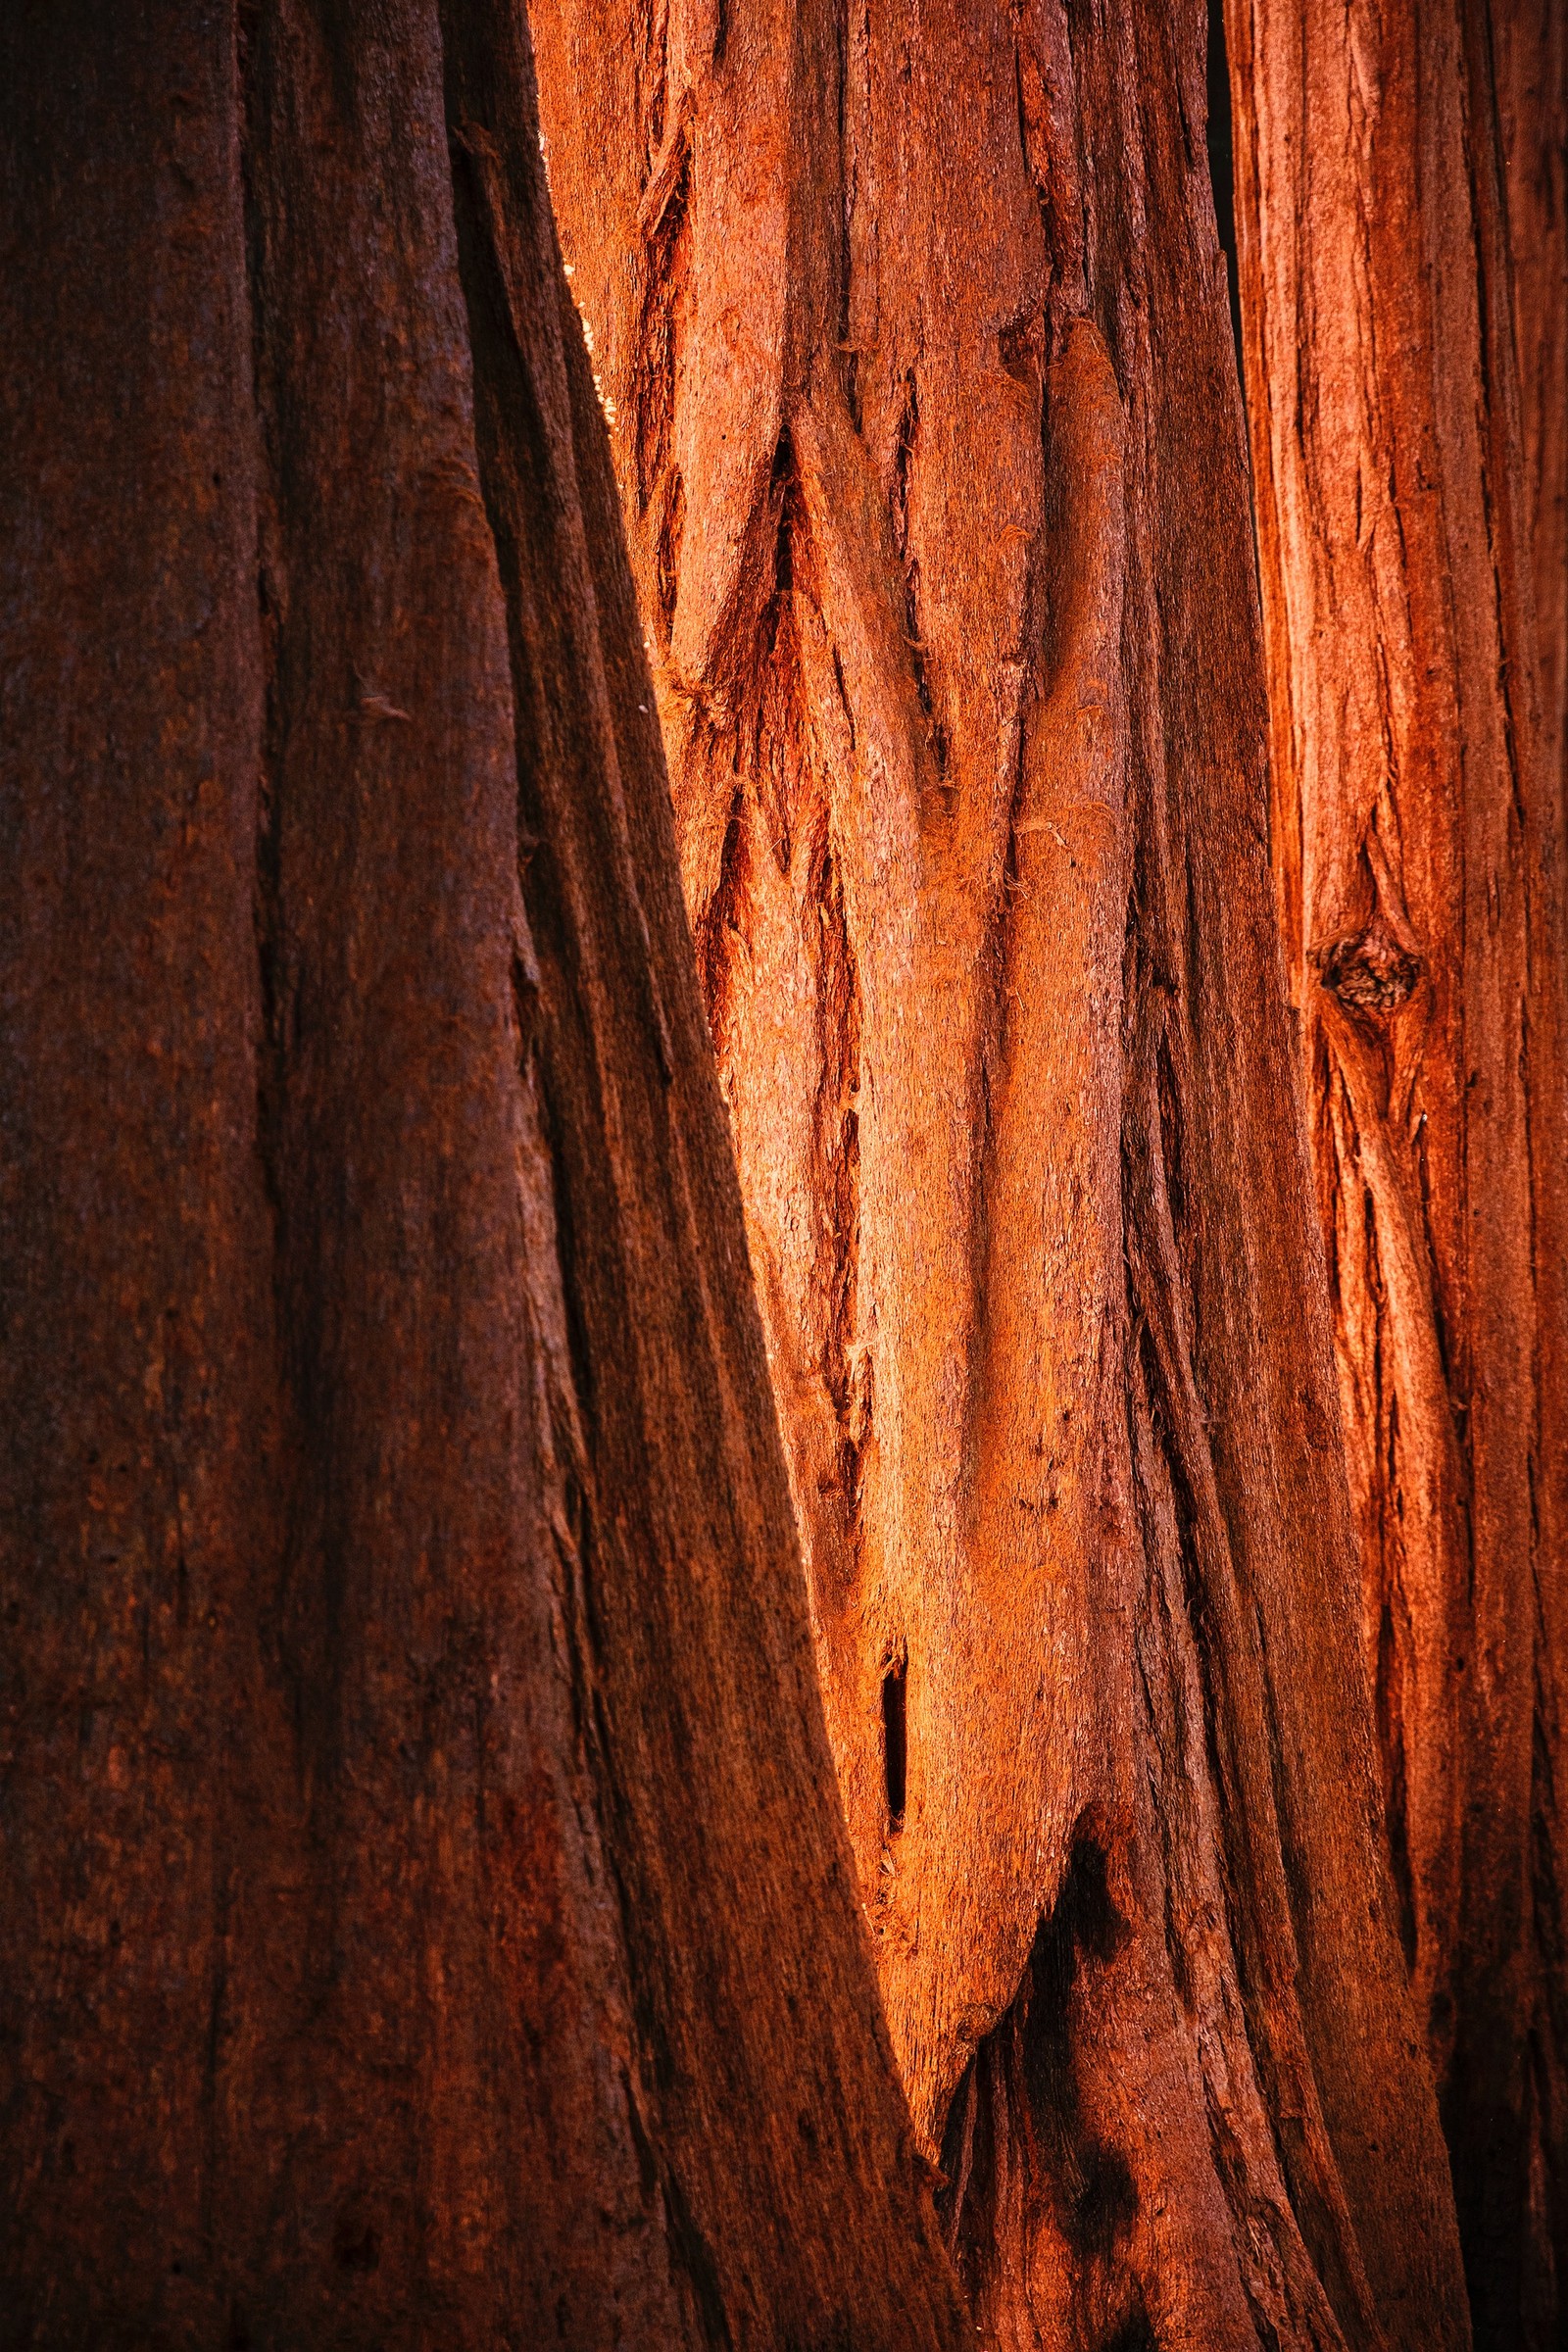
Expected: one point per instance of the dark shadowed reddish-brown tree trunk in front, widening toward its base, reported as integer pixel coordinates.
(427, 1916)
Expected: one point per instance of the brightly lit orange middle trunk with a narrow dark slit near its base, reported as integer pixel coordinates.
(934, 474)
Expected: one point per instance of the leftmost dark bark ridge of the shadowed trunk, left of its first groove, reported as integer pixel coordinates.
(133, 1299)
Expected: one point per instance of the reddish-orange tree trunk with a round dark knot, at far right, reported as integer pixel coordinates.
(1402, 269)
